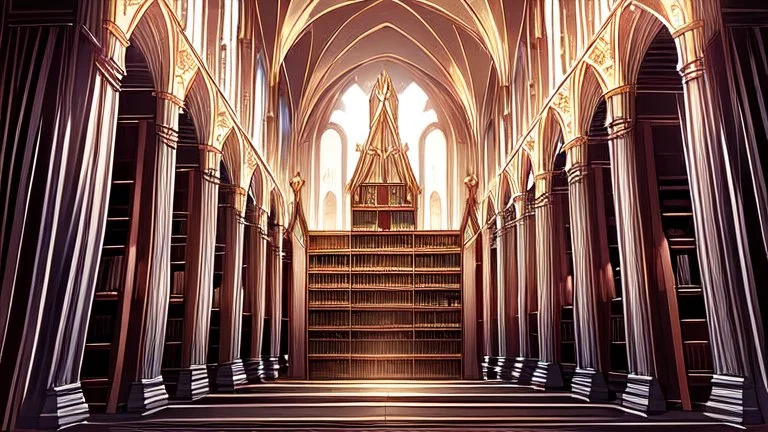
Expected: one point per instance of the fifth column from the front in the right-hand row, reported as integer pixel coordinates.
(522, 371)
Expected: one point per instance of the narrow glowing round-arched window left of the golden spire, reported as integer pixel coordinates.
(330, 177)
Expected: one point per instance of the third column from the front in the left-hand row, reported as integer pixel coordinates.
(193, 378)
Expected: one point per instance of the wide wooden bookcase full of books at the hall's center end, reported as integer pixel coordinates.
(383, 305)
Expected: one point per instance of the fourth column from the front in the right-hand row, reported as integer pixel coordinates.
(548, 373)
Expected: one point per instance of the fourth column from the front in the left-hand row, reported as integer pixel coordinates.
(230, 371)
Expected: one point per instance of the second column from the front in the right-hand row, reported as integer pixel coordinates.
(643, 390)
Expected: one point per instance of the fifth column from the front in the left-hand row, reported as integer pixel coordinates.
(256, 283)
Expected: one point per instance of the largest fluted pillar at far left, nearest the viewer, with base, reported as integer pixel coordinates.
(53, 394)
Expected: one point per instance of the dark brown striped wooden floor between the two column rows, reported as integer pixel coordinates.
(397, 405)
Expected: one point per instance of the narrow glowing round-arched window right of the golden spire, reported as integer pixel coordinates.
(435, 174)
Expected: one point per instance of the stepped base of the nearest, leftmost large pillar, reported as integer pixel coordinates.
(63, 406)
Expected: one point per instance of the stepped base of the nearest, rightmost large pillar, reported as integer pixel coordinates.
(733, 399)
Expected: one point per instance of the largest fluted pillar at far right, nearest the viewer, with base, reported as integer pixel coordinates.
(733, 395)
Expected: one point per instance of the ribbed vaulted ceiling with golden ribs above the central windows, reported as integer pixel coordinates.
(457, 50)
